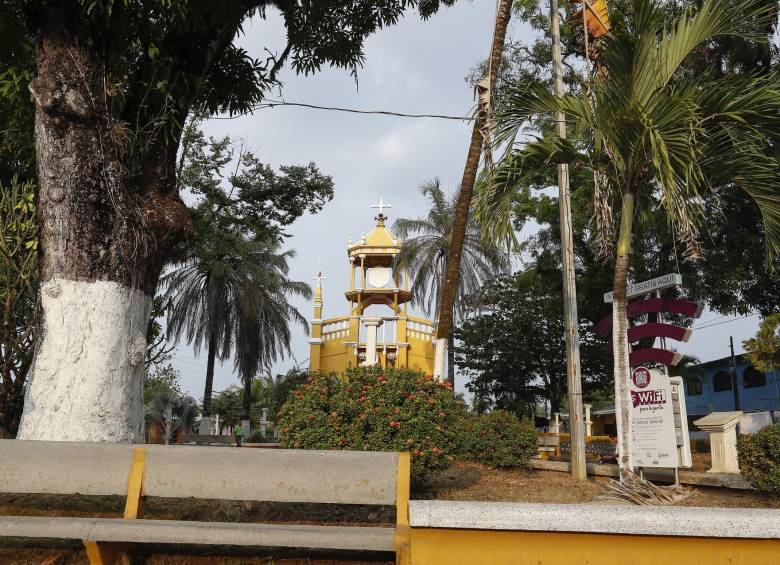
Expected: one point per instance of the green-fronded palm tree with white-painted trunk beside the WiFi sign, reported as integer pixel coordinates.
(655, 133)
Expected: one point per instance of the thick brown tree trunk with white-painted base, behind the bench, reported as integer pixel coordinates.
(99, 251)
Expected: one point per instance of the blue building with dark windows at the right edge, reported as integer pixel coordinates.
(708, 388)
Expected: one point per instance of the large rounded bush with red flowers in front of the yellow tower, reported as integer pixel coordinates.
(375, 409)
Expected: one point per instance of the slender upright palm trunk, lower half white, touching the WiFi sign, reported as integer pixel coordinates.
(622, 369)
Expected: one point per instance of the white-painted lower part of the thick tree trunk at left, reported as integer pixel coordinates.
(87, 377)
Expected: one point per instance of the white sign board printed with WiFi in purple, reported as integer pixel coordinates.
(653, 441)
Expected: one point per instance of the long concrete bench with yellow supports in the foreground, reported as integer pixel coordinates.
(272, 475)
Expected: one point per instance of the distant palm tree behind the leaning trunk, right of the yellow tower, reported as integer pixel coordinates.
(426, 244)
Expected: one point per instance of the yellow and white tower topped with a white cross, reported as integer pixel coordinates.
(386, 335)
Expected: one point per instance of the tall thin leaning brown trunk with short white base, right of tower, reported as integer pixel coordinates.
(463, 206)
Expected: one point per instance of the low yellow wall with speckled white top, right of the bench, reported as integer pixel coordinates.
(538, 534)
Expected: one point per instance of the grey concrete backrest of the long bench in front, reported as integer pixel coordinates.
(176, 471)
